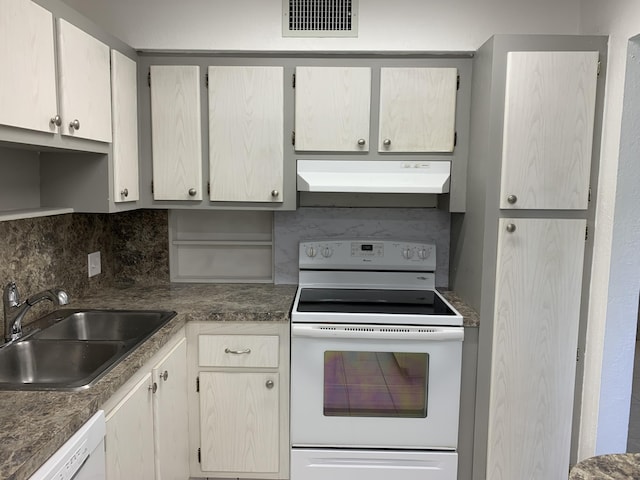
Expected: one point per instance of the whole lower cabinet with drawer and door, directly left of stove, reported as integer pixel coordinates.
(239, 425)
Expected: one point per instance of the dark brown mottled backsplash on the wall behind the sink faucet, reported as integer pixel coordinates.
(40, 253)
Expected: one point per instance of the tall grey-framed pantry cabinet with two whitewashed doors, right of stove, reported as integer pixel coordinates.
(518, 254)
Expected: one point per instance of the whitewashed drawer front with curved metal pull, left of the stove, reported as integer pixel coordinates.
(238, 350)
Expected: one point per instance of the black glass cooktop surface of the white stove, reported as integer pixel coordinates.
(356, 300)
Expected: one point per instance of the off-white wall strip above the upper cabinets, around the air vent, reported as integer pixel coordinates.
(383, 25)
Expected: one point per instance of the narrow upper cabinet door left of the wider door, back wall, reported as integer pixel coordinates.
(176, 133)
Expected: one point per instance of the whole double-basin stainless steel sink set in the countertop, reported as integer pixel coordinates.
(72, 349)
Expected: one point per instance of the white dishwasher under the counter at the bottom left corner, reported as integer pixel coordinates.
(81, 457)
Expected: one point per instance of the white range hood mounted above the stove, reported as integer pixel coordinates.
(373, 176)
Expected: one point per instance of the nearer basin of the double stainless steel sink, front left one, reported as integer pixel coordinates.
(45, 365)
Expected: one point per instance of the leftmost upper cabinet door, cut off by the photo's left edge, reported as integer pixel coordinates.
(28, 80)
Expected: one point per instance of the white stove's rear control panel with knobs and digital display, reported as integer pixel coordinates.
(357, 254)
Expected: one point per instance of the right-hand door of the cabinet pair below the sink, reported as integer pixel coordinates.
(170, 415)
